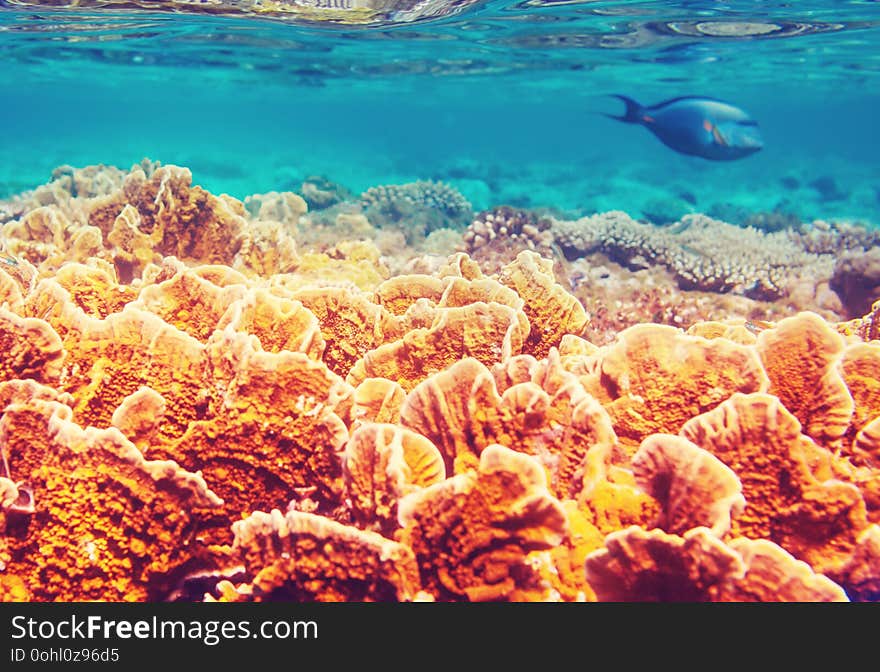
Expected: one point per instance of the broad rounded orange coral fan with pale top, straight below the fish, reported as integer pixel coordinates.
(654, 378)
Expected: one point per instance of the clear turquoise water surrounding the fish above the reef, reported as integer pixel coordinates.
(500, 99)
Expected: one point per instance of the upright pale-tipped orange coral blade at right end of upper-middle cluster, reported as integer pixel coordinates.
(552, 311)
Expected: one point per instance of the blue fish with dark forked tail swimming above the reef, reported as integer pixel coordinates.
(698, 126)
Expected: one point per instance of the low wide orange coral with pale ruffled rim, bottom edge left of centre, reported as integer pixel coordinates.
(307, 558)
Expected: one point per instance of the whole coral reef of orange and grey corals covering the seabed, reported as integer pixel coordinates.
(388, 396)
